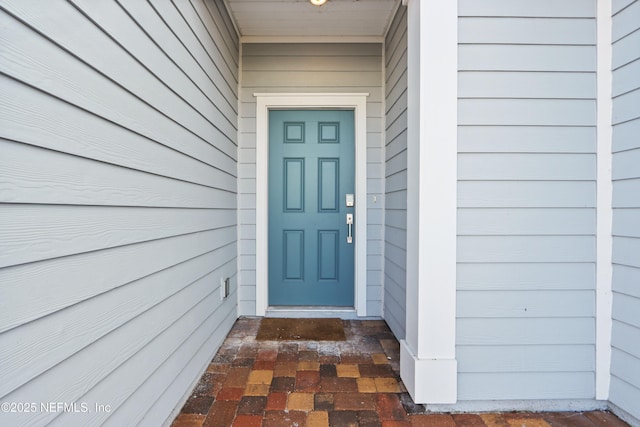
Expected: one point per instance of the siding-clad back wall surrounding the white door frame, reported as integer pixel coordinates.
(290, 68)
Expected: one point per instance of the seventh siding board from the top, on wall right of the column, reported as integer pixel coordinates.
(526, 167)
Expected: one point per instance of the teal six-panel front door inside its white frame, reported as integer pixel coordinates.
(311, 178)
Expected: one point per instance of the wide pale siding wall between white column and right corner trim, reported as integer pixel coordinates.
(526, 198)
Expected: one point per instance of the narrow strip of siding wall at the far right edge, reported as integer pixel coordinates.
(625, 367)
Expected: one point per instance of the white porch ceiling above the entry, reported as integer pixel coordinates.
(299, 20)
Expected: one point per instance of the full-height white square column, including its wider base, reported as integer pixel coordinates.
(427, 362)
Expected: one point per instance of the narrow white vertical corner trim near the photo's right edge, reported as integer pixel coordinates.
(604, 207)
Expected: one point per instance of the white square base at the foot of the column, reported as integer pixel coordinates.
(429, 381)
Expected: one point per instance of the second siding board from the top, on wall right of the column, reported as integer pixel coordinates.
(527, 30)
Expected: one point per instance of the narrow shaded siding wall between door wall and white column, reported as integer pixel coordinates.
(395, 245)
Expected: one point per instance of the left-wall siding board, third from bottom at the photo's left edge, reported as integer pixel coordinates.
(33, 291)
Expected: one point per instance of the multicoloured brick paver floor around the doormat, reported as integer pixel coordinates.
(355, 382)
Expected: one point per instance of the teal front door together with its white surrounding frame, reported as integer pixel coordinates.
(337, 268)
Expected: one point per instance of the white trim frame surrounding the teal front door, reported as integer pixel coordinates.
(338, 101)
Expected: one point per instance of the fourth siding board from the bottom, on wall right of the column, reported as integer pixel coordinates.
(525, 304)
